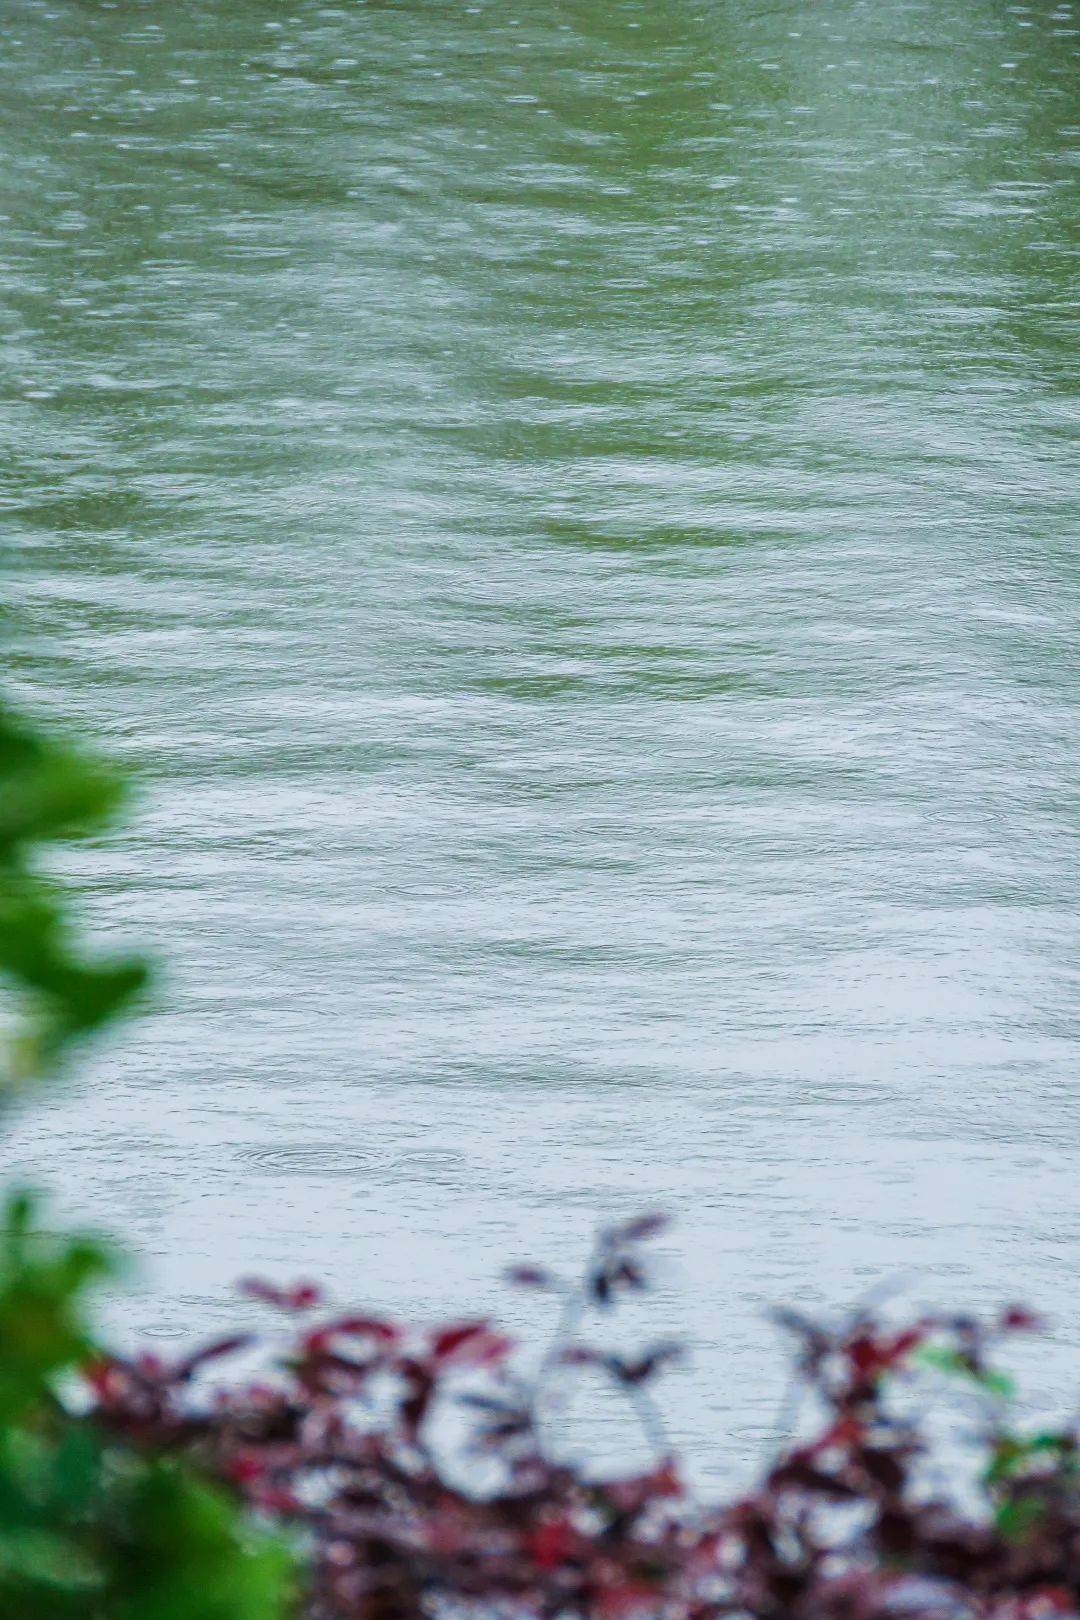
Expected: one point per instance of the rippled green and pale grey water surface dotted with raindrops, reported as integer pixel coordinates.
(571, 511)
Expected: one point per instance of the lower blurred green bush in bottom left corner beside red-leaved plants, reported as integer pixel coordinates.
(91, 1527)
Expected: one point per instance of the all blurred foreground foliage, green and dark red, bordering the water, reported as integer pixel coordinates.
(362, 1469)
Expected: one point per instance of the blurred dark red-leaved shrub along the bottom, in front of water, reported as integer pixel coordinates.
(344, 1444)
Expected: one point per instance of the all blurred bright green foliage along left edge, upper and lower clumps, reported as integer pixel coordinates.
(90, 1527)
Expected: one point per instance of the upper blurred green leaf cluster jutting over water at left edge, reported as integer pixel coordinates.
(51, 791)
